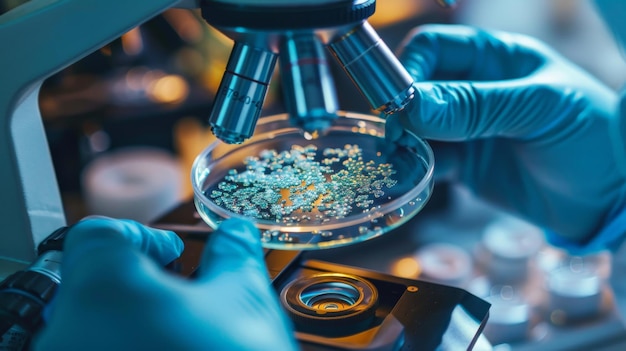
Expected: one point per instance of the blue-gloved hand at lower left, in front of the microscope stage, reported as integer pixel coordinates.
(115, 294)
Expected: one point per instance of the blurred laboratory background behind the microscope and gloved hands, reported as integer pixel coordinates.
(125, 123)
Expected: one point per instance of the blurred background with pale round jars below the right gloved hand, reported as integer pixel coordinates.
(528, 311)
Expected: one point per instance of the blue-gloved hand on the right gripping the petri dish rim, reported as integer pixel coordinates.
(524, 128)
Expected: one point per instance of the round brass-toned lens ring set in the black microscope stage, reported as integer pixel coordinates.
(330, 303)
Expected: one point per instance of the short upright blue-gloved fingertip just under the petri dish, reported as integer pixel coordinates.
(235, 247)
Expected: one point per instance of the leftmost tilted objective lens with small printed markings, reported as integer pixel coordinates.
(241, 93)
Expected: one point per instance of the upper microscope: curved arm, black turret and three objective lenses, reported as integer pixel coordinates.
(42, 39)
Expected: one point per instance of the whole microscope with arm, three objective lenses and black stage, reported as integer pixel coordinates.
(40, 38)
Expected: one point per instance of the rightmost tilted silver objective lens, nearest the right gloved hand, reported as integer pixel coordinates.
(375, 70)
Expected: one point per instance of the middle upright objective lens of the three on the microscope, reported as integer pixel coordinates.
(308, 87)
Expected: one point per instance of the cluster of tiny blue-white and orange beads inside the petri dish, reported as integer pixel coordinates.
(304, 186)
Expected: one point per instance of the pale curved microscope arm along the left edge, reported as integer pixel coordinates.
(40, 38)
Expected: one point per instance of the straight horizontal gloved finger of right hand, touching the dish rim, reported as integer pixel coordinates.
(460, 111)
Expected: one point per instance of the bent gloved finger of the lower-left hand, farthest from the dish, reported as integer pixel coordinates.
(97, 233)
